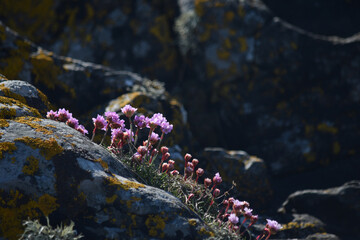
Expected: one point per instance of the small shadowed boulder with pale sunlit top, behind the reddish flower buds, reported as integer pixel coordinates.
(248, 172)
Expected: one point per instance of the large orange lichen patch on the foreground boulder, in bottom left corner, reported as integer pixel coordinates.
(15, 207)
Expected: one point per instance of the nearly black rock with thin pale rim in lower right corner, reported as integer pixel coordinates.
(338, 208)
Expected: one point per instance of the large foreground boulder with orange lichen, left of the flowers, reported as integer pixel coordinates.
(50, 169)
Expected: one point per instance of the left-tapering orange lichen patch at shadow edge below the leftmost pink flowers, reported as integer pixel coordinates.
(48, 148)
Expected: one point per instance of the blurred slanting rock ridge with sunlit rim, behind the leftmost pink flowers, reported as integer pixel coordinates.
(70, 83)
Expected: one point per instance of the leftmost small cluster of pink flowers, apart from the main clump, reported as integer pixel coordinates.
(63, 115)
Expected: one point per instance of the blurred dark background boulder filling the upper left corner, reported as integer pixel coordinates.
(133, 35)
